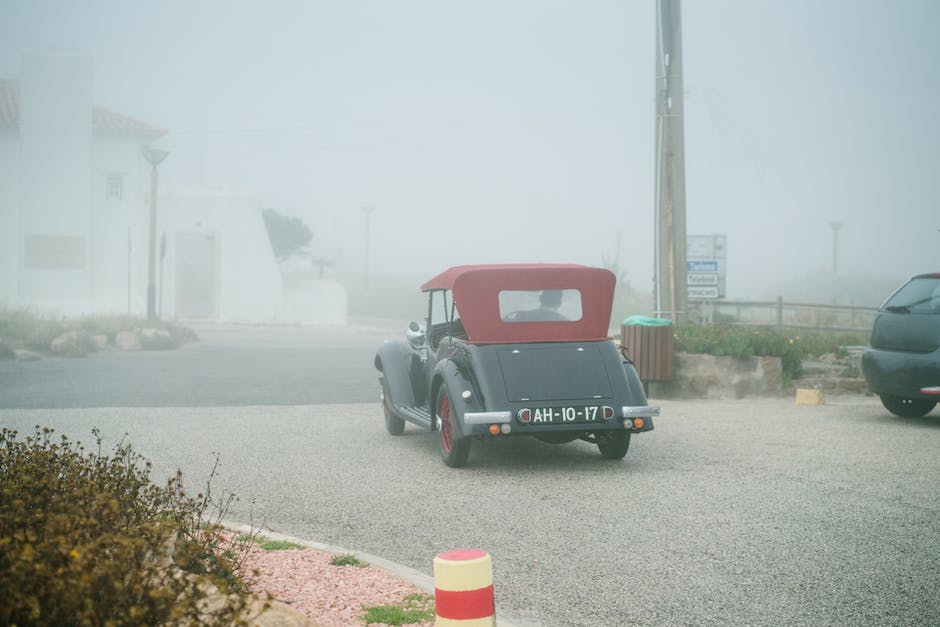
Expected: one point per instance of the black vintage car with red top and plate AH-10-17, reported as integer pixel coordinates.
(514, 350)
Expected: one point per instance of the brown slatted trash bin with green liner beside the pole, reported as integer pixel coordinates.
(650, 344)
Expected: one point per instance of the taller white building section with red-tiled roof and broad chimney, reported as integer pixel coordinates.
(72, 193)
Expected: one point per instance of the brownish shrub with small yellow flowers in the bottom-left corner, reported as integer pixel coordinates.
(87, 539)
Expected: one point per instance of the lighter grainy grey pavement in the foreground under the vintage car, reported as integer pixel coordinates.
(739, 512)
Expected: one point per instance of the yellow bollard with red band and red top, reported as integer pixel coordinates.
(463, 589)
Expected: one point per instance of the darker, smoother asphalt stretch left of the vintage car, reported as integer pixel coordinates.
(228, 366)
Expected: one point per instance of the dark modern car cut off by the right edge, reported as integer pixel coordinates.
(902, 361)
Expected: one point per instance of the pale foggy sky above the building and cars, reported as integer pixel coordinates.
(523, 130)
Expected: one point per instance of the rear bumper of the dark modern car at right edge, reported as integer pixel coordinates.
(906, 375)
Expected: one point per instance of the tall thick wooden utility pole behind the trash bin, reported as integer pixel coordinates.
(670, 257)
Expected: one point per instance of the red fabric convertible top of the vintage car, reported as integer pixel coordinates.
(476, 293)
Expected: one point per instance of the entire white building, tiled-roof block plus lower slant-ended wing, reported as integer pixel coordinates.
(74, 217)
